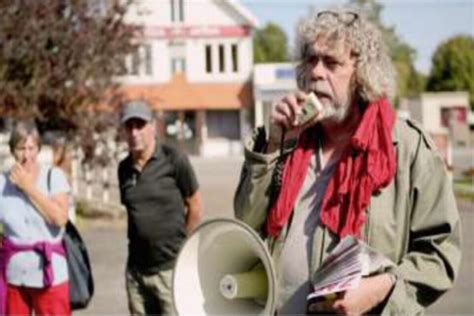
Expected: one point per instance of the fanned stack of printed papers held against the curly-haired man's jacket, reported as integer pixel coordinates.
(345, 266)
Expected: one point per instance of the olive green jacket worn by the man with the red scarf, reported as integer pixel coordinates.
(414, 221)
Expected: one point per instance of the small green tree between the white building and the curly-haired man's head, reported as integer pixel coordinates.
(270, 44)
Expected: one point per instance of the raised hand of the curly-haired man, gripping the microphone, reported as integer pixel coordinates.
(284, 117)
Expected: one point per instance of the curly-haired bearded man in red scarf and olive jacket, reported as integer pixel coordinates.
(337, 162)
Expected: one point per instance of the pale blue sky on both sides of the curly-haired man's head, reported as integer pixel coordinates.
(423, 24)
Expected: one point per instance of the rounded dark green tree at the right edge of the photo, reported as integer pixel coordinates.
(453, 66)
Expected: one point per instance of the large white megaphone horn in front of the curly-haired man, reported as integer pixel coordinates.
(224, 268)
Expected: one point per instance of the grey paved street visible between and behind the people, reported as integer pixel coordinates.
(107, 245)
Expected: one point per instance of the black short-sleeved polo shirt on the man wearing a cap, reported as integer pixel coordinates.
(154, 199)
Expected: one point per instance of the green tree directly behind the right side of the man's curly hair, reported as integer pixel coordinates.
(409, 81)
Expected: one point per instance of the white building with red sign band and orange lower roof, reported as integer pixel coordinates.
(194, 68)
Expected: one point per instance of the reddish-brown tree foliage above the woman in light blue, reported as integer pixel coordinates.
(58, 61)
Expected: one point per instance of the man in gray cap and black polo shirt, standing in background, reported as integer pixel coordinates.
(159, 189)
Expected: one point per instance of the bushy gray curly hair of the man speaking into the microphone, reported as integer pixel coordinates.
(375, 74)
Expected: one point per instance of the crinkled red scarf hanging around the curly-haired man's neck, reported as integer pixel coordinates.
(366, 165)
